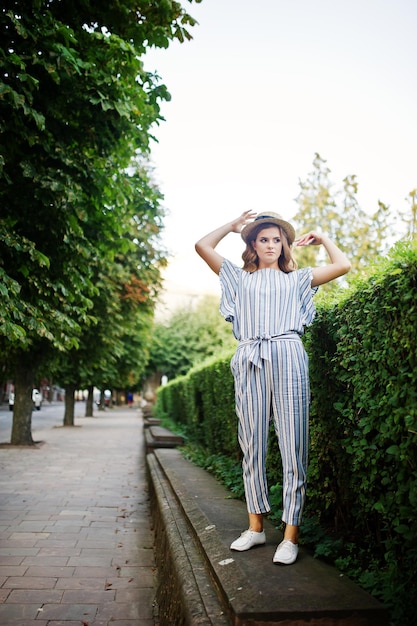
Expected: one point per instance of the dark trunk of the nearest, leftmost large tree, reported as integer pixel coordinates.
(22, 410)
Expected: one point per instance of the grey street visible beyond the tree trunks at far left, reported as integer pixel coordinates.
(50, 415)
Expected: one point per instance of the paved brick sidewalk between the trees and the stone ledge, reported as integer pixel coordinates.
(76, 544)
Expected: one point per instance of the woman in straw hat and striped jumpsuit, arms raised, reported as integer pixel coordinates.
(269, 302)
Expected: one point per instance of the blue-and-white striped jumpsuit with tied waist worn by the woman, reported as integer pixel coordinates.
(269, 310)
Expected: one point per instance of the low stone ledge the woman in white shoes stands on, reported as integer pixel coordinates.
(203, 582)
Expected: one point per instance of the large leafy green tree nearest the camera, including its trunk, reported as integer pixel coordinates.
(76, 107)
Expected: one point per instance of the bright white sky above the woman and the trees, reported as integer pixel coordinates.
(264, 86)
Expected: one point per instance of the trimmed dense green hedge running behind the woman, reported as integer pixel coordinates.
(363, 454)
